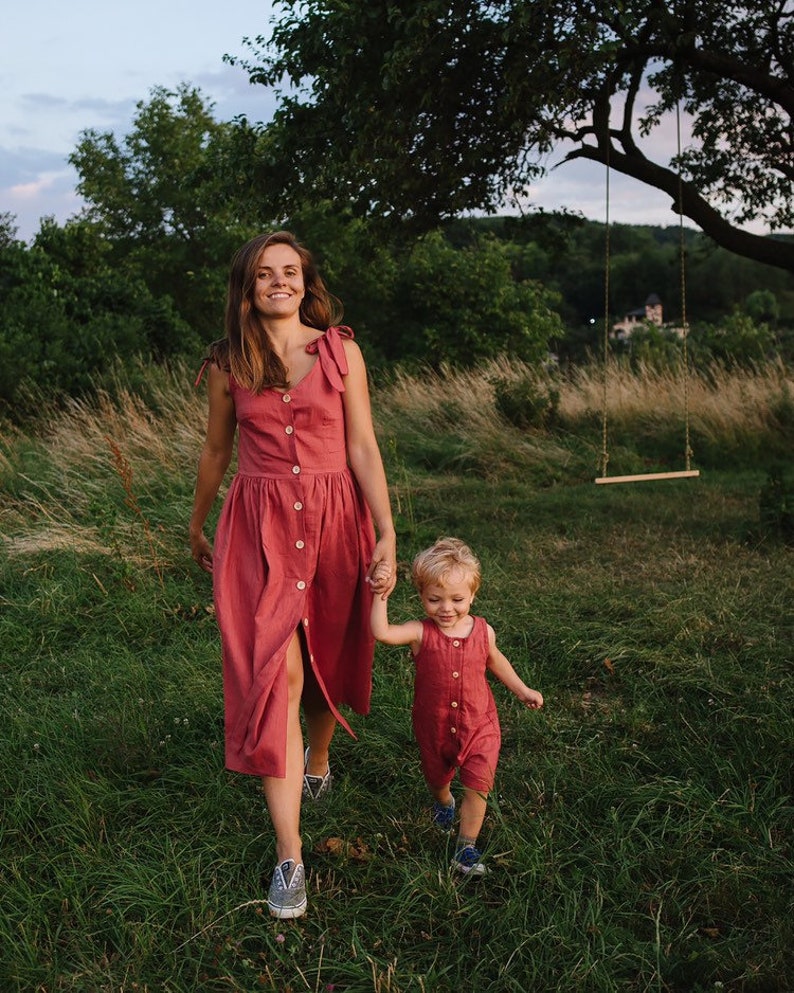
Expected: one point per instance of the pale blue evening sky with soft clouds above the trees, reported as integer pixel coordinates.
(71, 65)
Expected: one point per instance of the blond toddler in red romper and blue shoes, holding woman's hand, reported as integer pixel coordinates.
(454, 713)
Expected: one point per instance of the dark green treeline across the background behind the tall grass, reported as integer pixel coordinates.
(75, 299)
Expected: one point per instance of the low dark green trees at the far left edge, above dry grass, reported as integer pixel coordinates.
(66, 311)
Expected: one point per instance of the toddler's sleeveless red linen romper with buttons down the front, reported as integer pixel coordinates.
(454, 713)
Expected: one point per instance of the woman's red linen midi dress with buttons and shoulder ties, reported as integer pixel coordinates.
(292, 546)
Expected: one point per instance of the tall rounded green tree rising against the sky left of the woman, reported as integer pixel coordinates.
(173, 199)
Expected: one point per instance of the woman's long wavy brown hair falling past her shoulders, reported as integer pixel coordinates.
(251, 358)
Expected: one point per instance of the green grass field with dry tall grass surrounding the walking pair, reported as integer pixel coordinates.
(640, 834)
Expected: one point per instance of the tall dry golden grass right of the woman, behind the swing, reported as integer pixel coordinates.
(449, 420)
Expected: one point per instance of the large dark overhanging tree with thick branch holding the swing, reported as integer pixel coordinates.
(426, 110)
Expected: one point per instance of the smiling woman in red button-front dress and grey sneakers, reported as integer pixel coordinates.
(295, 551)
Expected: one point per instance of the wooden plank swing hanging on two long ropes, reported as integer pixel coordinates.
(688, 472)
